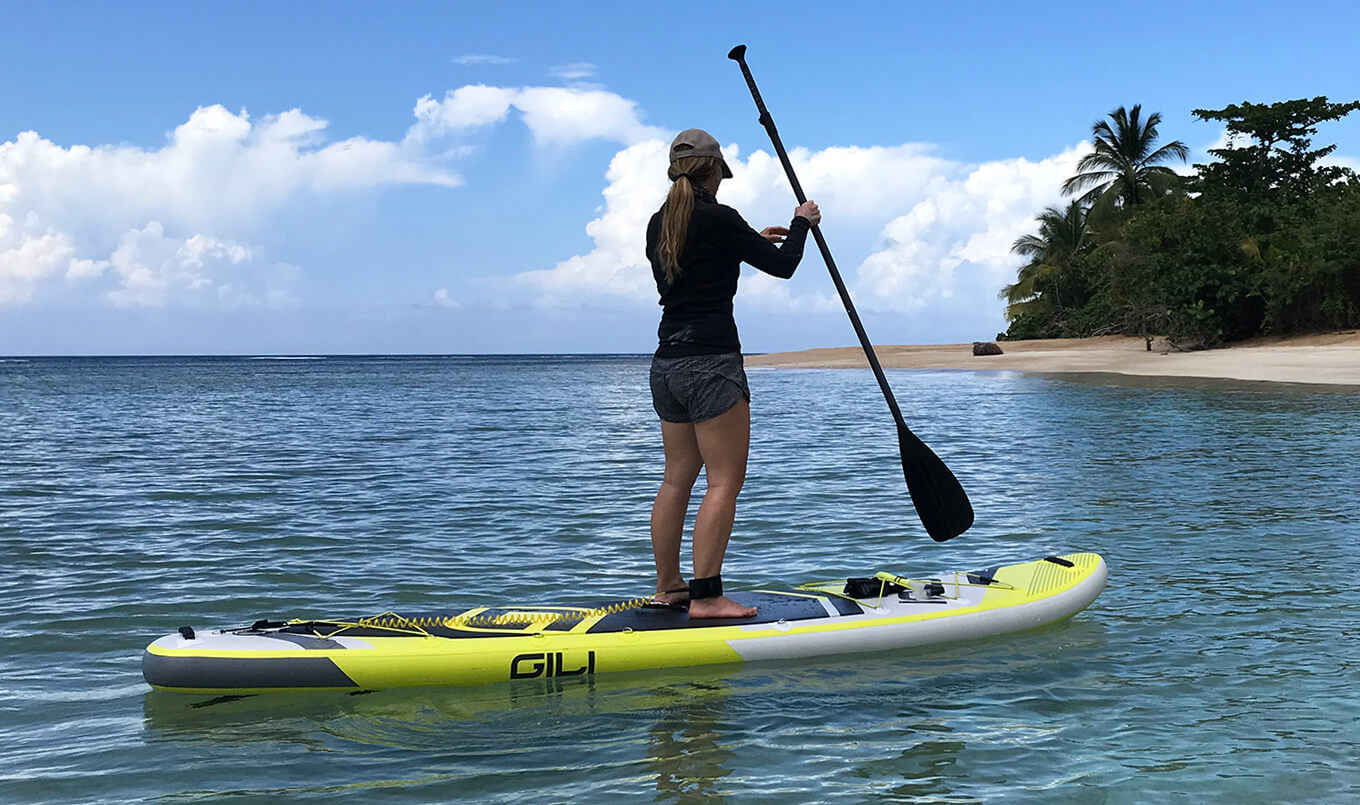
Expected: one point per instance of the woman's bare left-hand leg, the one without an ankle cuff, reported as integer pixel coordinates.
(683, 464)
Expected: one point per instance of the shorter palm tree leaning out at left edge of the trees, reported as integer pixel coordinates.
(1063, 236)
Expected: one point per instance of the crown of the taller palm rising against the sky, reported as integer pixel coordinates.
(1124, 168)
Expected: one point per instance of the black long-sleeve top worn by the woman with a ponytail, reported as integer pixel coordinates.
(697, 309)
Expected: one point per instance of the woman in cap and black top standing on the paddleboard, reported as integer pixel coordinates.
(698, 384)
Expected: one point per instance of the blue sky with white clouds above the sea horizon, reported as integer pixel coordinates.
(294, 179)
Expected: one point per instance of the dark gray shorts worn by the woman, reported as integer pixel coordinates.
(698, 388)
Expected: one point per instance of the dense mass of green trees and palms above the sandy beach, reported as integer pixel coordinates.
(1268, 241)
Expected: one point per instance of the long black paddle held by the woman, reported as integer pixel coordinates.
(942, 504)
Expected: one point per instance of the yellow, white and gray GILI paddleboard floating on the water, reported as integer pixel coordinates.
(498, 644)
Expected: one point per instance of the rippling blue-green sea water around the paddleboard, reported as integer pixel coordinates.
(138, 496)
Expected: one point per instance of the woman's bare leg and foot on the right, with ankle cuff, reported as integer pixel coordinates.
(724, 444)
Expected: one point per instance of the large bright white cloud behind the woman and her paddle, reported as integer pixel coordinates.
(932, 217)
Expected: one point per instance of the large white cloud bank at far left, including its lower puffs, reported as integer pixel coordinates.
(168, 221)
